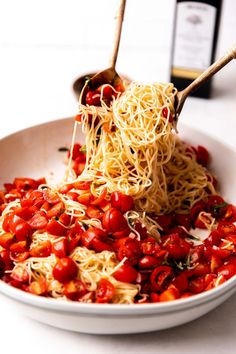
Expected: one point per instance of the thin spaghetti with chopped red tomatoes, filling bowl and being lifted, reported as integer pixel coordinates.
(120, 227)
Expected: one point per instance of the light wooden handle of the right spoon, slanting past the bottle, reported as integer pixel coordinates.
(214, 68)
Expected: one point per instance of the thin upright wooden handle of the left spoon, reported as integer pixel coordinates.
(119, 22)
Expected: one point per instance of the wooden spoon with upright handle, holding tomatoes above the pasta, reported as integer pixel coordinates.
(108, 76)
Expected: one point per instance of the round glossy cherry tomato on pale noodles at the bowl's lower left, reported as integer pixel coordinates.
(65, 270)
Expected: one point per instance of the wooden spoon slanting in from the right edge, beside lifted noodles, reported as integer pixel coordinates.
(201, 79)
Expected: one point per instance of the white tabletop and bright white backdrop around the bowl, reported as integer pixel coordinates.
(44, 46)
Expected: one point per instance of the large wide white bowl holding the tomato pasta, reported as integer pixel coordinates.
(34, 153)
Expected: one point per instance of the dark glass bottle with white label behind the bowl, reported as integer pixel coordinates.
(194, 42)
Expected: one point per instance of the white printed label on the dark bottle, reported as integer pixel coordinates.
(195, 25)
